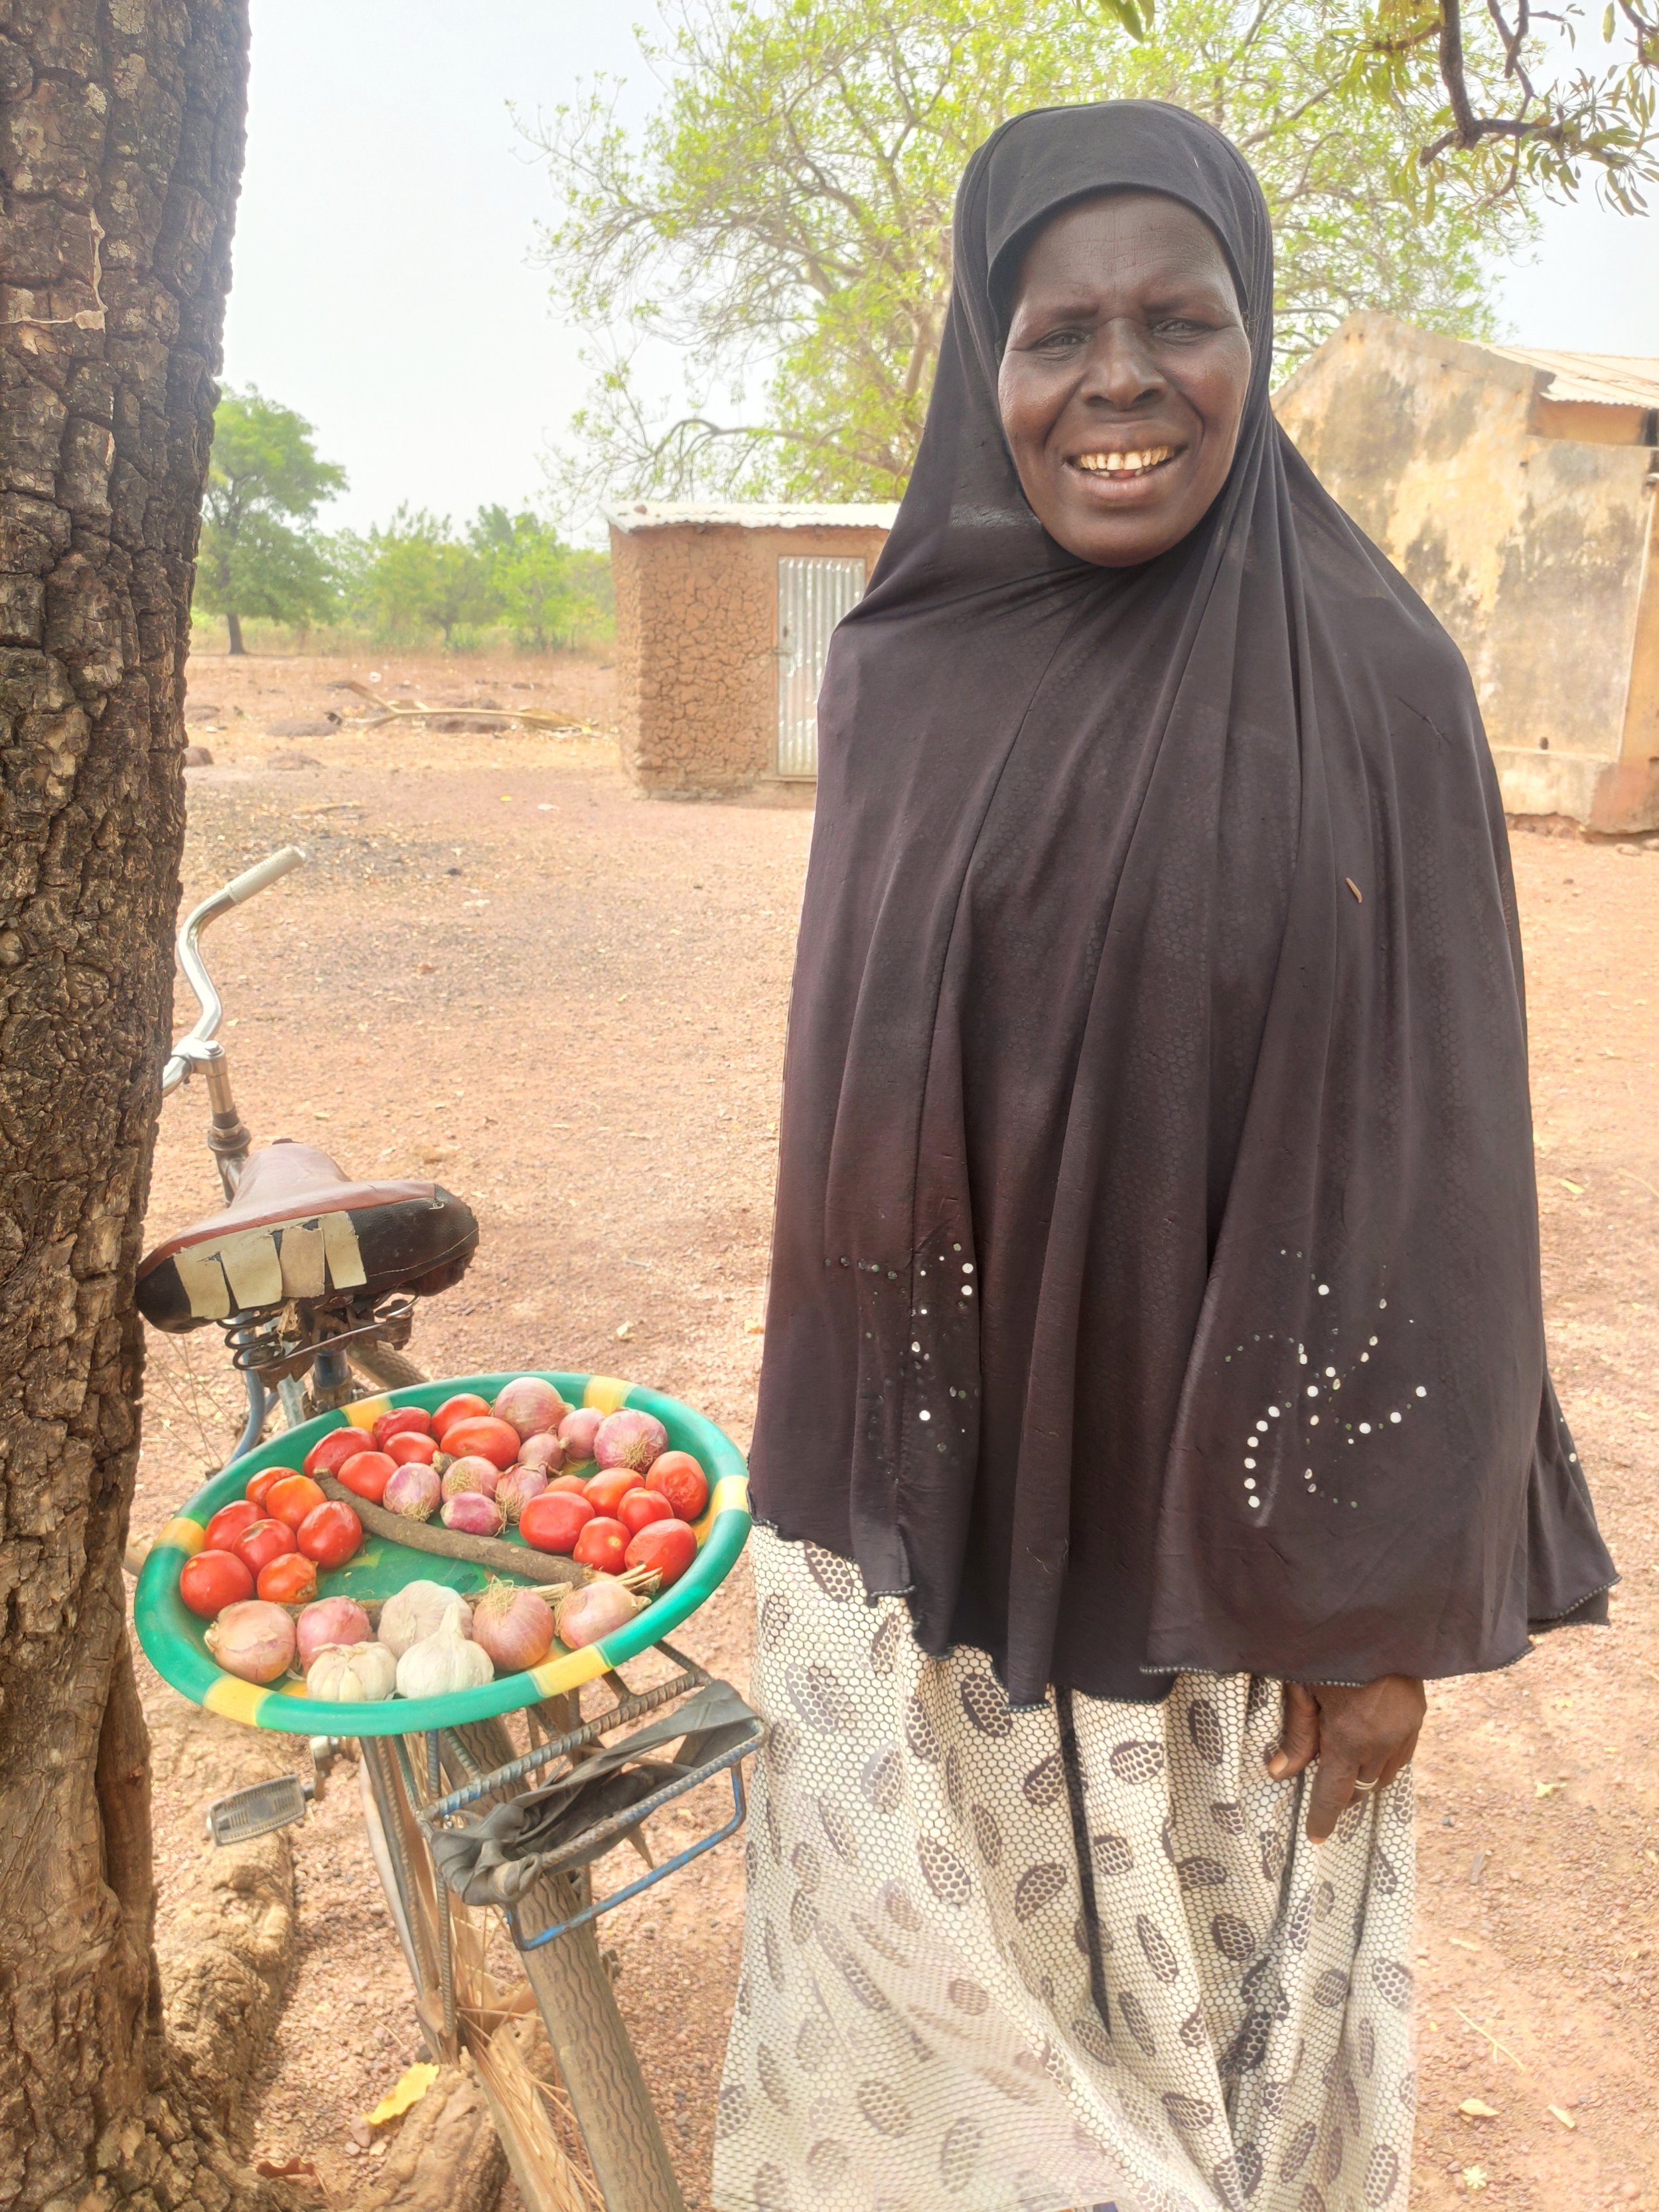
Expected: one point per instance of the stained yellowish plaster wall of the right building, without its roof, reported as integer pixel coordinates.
(1530, 550)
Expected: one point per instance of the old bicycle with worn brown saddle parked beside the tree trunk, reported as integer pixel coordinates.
(313, 1280)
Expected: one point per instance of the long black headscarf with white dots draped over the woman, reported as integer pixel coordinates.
(1156, 1275)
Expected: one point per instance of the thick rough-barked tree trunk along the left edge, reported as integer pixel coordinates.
(121, 158)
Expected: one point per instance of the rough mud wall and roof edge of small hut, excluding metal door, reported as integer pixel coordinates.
(698, 623)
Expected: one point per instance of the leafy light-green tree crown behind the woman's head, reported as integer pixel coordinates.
(775, 238)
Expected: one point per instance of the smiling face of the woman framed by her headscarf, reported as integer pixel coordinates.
(1125, 377)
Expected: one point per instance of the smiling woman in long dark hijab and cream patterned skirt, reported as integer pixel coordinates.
(1156, 1377)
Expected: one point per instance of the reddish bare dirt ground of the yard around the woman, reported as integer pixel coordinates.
(505, 970)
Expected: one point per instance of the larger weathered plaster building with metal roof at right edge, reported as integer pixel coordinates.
(1516, 490)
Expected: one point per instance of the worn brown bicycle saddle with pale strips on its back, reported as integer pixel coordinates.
(302, 1229)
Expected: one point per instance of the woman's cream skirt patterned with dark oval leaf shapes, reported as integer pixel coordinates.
(1027, 1961)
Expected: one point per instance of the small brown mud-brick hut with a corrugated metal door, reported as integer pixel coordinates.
(724, 618)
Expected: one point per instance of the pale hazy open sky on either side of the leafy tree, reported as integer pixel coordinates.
(384, 247)
